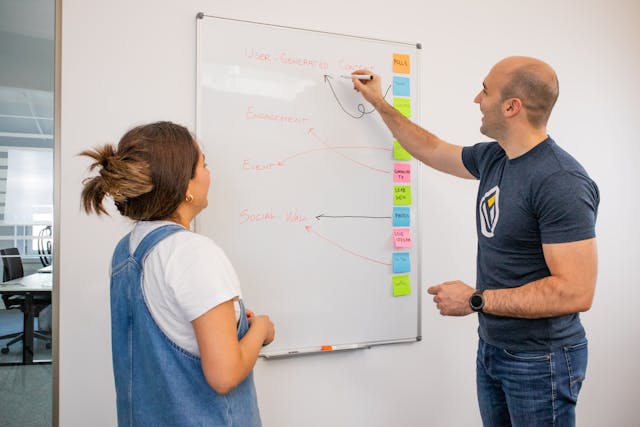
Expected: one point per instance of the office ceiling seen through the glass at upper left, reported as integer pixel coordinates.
(26, 73)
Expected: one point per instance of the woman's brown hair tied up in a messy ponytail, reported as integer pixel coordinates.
(146, 175)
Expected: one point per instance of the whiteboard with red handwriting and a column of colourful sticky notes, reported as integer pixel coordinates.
(303, 190)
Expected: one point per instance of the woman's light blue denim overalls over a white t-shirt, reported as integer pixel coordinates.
(157, 382)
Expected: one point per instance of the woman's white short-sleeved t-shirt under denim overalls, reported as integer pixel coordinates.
(184, 276)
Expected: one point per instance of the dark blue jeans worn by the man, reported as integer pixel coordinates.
(533, 388)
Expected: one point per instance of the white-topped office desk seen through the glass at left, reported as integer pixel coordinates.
(38, 283)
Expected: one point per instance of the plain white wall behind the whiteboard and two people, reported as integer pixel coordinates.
(125, 63)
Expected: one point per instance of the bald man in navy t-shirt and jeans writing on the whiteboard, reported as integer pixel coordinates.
(537, 260)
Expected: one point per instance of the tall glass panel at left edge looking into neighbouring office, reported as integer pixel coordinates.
(26, 210)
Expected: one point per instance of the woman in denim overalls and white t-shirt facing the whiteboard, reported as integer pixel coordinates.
(183, 344)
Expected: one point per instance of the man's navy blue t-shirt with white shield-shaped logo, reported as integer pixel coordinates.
(544, 196)
